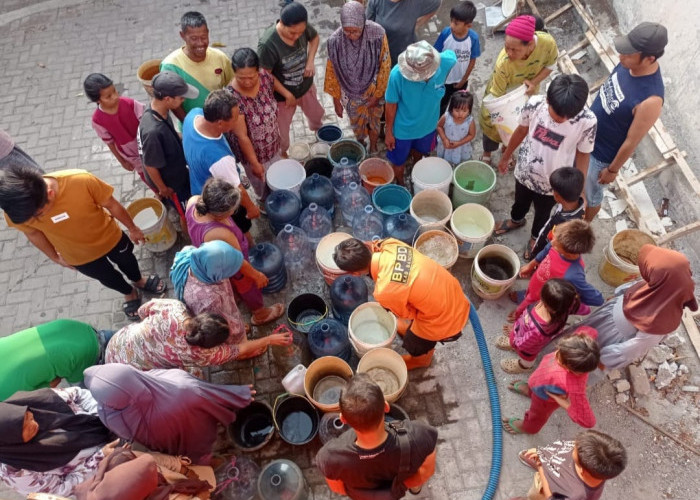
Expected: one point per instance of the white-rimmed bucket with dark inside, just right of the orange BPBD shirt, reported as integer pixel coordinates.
(494, 270)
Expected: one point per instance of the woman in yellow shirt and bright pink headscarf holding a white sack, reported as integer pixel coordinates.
(528, 57)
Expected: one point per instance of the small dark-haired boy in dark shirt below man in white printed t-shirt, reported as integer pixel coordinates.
(567, 184)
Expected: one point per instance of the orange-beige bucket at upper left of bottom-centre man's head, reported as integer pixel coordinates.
(324, 380)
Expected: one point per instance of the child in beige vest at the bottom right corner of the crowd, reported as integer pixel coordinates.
(574, 469)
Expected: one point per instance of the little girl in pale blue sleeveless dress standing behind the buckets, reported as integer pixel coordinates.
(456, 129)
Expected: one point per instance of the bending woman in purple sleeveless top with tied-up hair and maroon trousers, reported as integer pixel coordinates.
(209, 219)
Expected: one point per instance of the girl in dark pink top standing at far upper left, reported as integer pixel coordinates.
(116, 121)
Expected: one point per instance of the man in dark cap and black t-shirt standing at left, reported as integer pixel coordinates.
(159, 144)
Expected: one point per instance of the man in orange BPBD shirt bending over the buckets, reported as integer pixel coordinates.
(413, 287)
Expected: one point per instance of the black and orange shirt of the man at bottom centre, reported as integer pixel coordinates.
(341, 459)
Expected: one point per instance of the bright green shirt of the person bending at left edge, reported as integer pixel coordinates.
(32, 358)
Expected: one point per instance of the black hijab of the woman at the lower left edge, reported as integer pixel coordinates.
(62, 434)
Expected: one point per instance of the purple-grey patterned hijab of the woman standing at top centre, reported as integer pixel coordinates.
(356, 62)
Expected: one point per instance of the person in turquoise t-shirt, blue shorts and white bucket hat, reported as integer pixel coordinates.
(416, 87)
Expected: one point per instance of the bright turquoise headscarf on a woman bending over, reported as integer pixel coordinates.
(211, 263)
